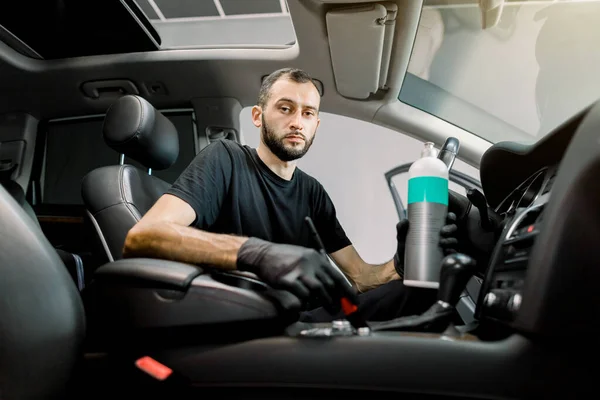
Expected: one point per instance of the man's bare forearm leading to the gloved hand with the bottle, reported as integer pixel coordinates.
(365, 276)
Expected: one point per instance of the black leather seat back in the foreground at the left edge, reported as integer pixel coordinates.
(42, 315)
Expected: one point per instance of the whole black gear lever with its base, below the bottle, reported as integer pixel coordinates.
(456, 271)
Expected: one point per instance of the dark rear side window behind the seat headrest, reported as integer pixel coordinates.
(75, 147)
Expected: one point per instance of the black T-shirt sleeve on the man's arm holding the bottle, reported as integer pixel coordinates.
(330, 230)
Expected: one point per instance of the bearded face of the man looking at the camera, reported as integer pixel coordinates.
(290, 119)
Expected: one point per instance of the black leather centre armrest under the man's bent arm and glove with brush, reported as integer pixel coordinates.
(137, 300)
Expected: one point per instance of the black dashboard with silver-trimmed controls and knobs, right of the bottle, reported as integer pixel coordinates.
(518, 181)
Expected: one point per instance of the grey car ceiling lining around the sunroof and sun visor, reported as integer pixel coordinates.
(50, 89)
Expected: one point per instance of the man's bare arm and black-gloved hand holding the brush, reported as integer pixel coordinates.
(164, 232)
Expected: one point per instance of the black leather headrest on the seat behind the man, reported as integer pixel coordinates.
(133, 127)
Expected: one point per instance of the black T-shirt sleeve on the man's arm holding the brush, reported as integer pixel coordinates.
(205, 182)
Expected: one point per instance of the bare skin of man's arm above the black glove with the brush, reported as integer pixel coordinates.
(164, 232)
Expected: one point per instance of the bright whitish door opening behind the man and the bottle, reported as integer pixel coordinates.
(350, 157)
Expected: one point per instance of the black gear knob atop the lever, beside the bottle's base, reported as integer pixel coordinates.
(456, 271)
